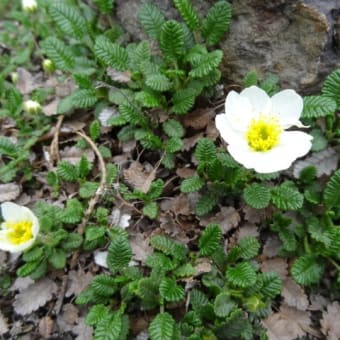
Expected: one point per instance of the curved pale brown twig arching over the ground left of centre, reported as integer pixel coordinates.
(94, 200)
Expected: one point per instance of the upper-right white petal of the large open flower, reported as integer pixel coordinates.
(288, 105)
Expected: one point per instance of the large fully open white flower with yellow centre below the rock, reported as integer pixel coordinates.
(254, 127)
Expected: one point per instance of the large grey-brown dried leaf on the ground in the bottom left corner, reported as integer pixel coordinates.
(34, 296)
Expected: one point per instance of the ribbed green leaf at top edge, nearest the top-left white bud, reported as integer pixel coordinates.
(68, 19)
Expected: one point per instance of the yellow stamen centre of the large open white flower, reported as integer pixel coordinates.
(264, 133)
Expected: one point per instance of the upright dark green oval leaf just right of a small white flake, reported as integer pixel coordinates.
(119, 254)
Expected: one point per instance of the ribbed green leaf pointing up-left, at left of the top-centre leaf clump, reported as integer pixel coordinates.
(111, 54)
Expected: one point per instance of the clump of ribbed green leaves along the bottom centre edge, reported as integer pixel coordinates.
(232, 289)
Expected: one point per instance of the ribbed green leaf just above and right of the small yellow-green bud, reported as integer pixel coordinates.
(60, 55)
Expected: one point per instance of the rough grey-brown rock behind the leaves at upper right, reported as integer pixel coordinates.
(297, 40)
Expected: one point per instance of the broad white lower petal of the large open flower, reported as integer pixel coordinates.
(293, 144)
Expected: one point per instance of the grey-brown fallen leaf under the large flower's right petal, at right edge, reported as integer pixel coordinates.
(325, 162)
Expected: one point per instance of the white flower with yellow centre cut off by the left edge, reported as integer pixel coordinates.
(19, 229)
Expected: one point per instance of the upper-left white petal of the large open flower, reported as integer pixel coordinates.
(238, 110)
